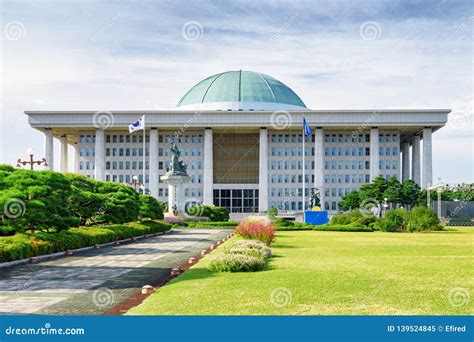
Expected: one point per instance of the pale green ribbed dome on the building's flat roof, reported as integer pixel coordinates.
(240, 90)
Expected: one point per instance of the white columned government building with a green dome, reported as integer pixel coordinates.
(240, 133)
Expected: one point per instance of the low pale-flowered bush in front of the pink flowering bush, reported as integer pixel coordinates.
(236, 263)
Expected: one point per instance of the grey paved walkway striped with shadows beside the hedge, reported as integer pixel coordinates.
(91, 282)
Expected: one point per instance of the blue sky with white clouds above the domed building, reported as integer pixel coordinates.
(74, 55)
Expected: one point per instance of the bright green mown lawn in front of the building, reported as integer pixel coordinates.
(332, 273)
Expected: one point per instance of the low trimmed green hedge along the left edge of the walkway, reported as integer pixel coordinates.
(24, 245)
